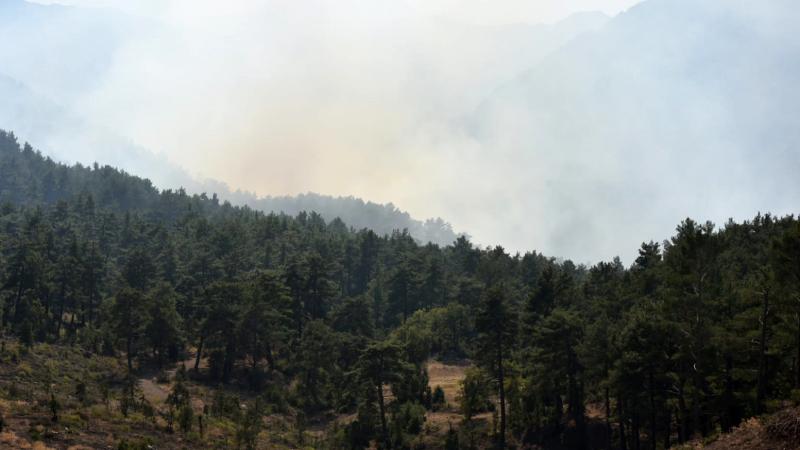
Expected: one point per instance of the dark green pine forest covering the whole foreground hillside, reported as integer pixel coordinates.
(273, 331)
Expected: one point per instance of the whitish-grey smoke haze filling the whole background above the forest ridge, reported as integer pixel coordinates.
(579, 139)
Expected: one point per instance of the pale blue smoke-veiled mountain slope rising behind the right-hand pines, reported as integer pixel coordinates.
(699, 94)
